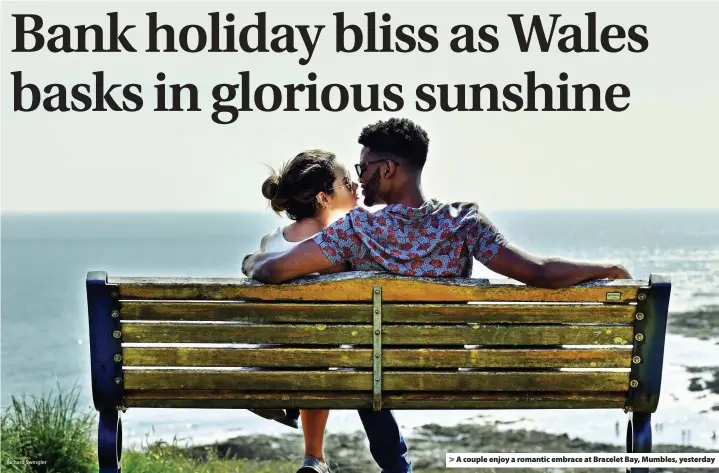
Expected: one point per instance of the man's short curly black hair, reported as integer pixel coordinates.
(400, 137)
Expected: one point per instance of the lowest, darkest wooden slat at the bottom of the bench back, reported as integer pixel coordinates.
(344, 400)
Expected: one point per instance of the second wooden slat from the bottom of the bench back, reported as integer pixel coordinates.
(391, 380)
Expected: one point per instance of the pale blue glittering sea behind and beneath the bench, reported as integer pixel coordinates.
(44, 329)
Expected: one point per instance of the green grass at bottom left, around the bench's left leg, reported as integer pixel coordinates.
(51, 434)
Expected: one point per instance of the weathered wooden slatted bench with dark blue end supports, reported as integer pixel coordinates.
(593, 346)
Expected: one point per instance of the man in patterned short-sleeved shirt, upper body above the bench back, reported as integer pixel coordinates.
(413, 235)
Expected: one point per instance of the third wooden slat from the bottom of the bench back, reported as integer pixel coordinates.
(362, 357)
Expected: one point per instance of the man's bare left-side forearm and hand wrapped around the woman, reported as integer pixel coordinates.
(303, 259)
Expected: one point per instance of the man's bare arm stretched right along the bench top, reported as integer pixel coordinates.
(550, 273)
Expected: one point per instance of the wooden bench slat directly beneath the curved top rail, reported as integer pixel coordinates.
(362, 313)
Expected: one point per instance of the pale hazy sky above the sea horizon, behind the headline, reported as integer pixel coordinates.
(661, 152)
